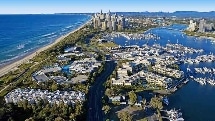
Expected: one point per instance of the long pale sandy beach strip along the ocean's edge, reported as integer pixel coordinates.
(4, 69)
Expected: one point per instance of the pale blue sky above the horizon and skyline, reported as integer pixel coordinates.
(91, 6)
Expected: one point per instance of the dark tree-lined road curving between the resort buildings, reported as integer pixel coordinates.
(97, 91)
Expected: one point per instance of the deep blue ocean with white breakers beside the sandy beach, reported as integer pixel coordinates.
(23, 34)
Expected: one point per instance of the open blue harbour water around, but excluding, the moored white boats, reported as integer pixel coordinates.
(197, 102)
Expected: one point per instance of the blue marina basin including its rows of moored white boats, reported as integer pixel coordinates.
(189, 53)
